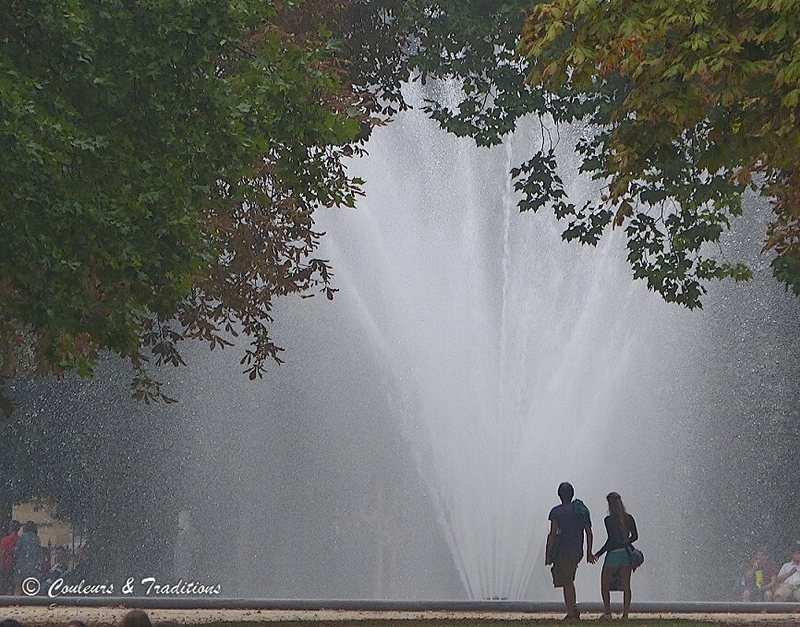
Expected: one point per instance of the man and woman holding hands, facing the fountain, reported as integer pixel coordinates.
(568, 524)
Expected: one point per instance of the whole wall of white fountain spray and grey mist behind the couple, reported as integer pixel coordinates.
(412, 443)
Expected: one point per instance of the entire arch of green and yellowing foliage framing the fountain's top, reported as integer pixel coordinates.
(163, 158)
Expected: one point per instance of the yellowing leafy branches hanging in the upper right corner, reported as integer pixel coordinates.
(693, 104)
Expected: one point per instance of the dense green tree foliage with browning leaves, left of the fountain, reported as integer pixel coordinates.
(162, 160)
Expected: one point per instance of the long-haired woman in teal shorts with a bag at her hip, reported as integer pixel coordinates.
(621, 528)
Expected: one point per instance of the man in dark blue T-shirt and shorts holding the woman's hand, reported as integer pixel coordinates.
(569, 522)
